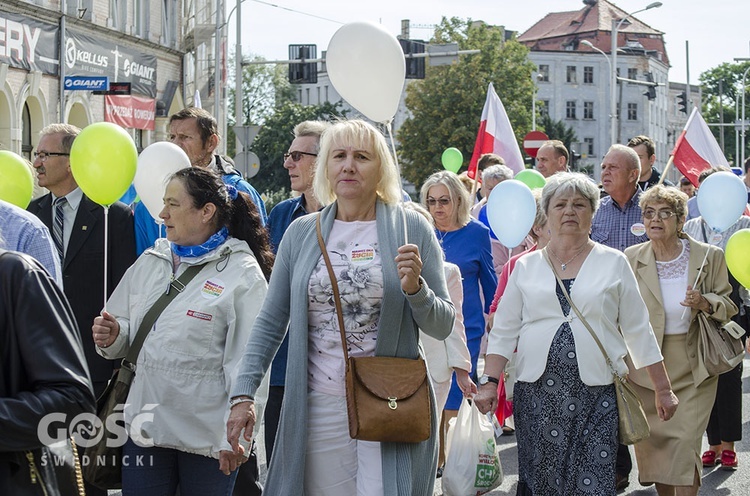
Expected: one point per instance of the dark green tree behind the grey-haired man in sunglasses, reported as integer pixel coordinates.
(275, 136)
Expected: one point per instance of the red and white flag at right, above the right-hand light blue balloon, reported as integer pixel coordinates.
(696, 149)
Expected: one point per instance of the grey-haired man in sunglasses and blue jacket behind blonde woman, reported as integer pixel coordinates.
(299, 162)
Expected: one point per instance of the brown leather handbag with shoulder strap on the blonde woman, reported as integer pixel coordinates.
(387, 398)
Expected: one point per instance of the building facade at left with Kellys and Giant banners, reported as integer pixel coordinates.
(53, 54)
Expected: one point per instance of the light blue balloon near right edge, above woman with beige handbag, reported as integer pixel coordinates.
(722, 198)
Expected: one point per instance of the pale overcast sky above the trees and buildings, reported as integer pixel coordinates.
(717, 30)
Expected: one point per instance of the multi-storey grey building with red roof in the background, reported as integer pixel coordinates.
(574, 79)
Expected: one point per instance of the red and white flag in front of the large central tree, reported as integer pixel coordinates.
(496, 135)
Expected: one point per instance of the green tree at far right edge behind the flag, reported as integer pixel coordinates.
(722, 98)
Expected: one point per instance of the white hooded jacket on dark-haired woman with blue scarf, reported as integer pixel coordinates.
(185, 370)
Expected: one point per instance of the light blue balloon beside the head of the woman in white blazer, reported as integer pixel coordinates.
(511, 209)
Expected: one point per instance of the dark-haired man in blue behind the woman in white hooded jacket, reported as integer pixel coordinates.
(196, 132)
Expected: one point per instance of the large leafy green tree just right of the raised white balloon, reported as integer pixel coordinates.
(447, 105)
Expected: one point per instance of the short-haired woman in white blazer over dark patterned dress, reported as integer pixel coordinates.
(564, 399)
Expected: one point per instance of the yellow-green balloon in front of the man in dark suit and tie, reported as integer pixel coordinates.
(103, 160)
